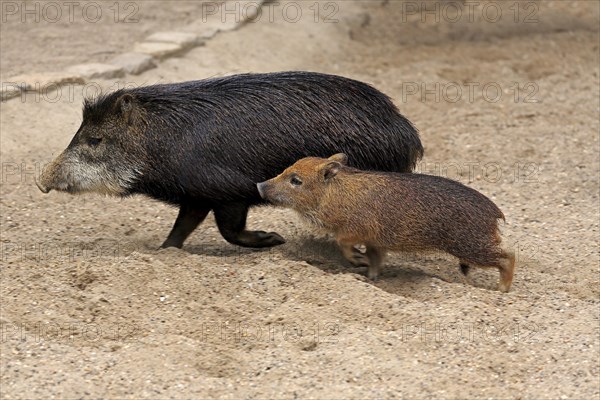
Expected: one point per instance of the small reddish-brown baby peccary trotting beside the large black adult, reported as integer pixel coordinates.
(390, 211)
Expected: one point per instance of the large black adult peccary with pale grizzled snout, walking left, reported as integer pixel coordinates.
(203, 145)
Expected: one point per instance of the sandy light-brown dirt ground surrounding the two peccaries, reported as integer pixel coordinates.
(91, 309)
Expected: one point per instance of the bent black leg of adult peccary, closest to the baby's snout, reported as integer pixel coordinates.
(231, 220)
